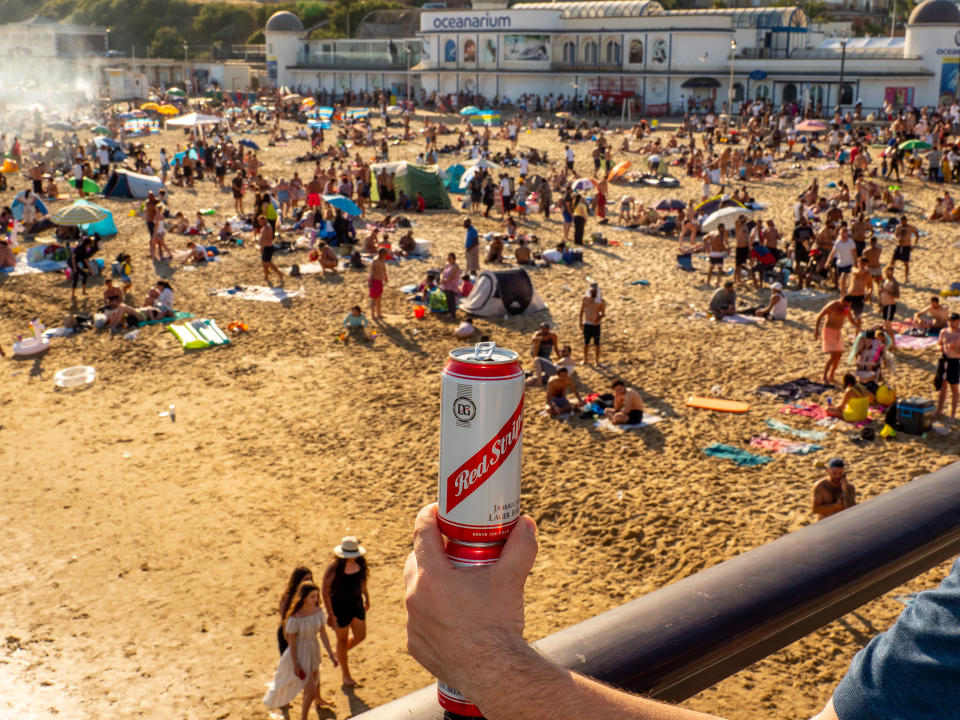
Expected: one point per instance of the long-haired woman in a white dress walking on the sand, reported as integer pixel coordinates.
(299, 667)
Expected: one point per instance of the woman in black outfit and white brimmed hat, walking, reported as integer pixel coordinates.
(346, 599)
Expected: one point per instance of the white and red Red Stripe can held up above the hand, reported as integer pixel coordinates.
(481, 426)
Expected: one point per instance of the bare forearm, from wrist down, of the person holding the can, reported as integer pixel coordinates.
(525, 686)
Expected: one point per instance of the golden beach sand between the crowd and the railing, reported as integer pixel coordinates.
(143, 559)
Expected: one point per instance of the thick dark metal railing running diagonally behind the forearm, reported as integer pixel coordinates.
(685, 637)
